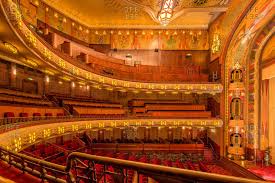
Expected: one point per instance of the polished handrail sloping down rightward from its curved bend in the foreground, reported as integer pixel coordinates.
(157, 170)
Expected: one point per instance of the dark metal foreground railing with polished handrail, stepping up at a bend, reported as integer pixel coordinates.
(160, 173)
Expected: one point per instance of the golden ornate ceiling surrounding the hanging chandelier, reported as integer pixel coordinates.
(139, 13)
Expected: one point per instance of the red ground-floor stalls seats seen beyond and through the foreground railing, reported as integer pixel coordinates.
(178, 160)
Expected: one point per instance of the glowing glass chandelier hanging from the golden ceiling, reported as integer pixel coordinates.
(166, 11)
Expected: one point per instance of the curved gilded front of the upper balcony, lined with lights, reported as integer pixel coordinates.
(79, 71)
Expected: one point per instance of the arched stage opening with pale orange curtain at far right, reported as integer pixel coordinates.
(267, 98)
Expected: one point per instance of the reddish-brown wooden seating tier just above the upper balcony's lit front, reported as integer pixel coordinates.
(105, 65)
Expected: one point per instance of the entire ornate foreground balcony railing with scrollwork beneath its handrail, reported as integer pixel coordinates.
(82, 167)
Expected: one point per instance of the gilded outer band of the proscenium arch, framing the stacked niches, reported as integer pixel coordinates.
(252, 28)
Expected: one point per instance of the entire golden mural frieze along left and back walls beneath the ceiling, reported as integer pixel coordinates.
(121, 39)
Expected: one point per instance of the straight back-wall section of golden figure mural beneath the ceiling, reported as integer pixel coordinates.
(164, 40)
